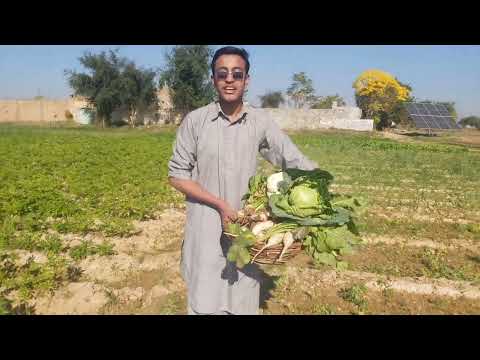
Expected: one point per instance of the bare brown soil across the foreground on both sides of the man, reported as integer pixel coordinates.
(143, 277)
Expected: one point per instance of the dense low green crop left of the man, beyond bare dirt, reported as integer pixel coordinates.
(84, 180)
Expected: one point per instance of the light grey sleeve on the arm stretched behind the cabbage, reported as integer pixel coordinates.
(278, 149)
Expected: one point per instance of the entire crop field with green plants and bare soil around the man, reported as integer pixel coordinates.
(89, 225)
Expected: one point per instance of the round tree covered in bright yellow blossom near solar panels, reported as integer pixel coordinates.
(379, 94)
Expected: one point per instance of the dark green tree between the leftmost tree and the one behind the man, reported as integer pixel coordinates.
(138, 91)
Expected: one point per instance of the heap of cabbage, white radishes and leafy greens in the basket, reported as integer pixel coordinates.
(295, 205)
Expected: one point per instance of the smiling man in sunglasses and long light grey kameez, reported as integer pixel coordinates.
(215, 154)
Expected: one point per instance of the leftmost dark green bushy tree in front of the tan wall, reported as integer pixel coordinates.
(101, 87)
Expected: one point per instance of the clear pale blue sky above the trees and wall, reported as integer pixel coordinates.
(435, 72)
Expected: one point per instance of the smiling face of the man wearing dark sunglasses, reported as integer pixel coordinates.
(230, 78)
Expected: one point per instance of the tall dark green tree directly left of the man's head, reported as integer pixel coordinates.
(187, 75)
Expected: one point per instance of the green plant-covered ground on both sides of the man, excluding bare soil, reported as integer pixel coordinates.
(82, 180)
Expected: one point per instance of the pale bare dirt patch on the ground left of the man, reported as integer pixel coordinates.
(140, 277)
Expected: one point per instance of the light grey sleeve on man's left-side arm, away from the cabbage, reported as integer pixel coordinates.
(184, 155)
